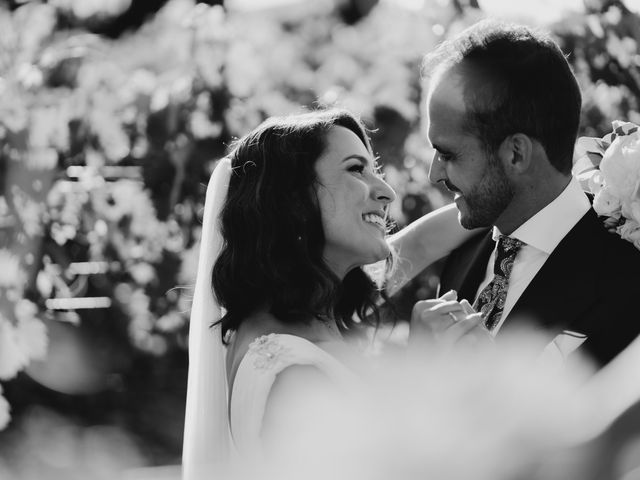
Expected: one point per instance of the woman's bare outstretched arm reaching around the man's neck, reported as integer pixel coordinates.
(423, 242)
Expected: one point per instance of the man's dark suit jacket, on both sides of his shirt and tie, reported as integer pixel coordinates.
(590, 284)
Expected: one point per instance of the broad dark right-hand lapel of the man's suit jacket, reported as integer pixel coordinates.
(563, 288)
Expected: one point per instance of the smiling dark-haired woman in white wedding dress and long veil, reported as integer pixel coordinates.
(291, 217)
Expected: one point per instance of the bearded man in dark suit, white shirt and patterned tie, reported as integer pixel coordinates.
(503, 113)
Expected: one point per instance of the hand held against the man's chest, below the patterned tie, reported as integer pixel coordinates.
(446, 323)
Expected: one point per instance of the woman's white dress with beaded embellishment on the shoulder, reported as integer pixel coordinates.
(267, 357)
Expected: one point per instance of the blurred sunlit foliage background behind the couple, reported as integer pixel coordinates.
(113, 114)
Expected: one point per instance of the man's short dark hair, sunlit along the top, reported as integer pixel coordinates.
(515, 80)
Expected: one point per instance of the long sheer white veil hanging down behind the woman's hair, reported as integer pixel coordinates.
(207, 445)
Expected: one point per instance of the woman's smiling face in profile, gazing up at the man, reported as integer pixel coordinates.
(353, 200)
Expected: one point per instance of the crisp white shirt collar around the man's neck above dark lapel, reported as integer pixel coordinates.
(549, 226)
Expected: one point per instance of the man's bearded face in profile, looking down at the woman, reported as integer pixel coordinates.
(482, 190)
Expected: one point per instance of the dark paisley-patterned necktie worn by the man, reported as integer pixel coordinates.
(491, 300)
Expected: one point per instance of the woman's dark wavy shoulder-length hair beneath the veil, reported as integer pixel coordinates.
(272, 229)
